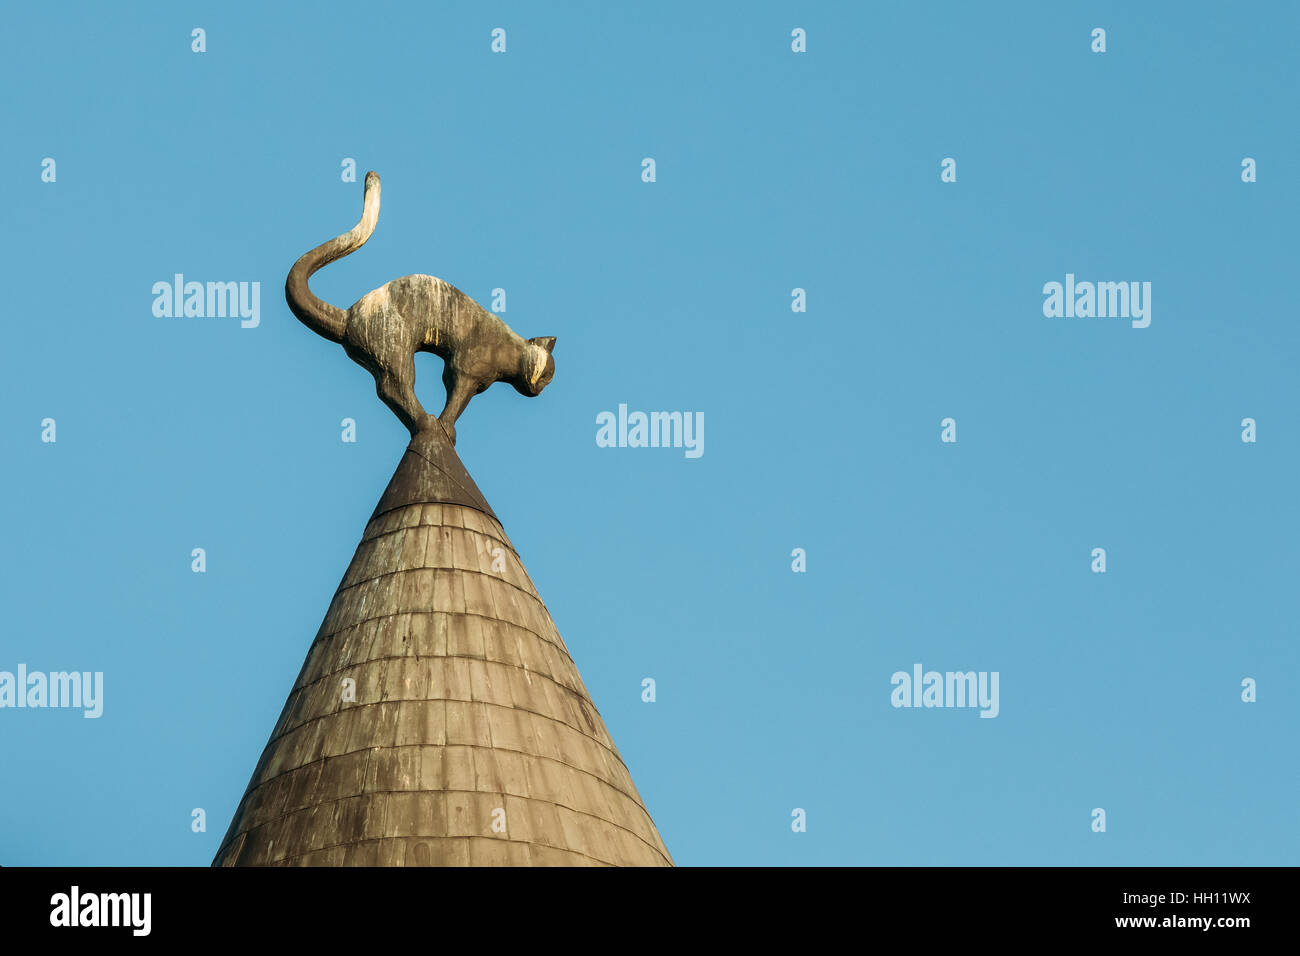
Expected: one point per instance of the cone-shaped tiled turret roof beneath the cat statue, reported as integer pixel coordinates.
(439, 719)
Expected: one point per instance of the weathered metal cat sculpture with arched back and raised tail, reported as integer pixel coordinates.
(385, 330)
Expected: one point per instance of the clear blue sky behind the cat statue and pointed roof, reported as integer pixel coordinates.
(775, 171)
